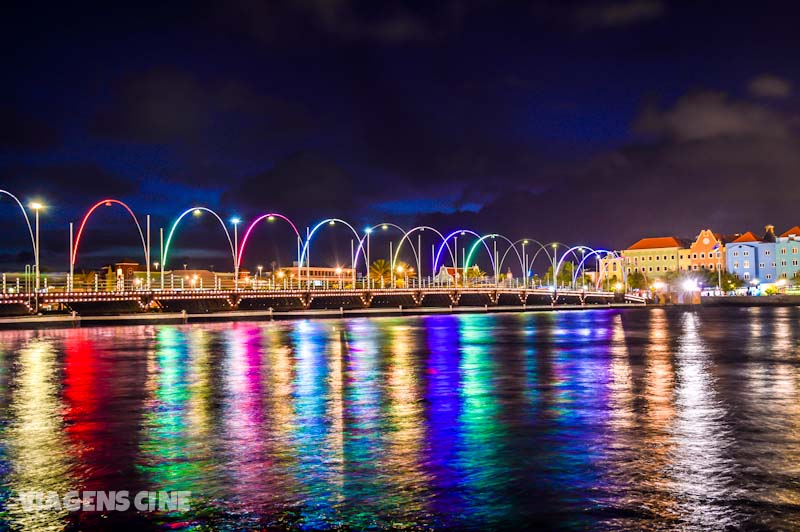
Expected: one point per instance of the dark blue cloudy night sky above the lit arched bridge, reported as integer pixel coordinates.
(584, 122)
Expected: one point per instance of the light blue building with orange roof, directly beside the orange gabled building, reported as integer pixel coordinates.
(752, 259)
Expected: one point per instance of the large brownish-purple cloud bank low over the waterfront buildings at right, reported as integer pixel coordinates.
(735, 174)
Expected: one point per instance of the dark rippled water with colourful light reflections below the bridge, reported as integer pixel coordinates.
(604, 419)
